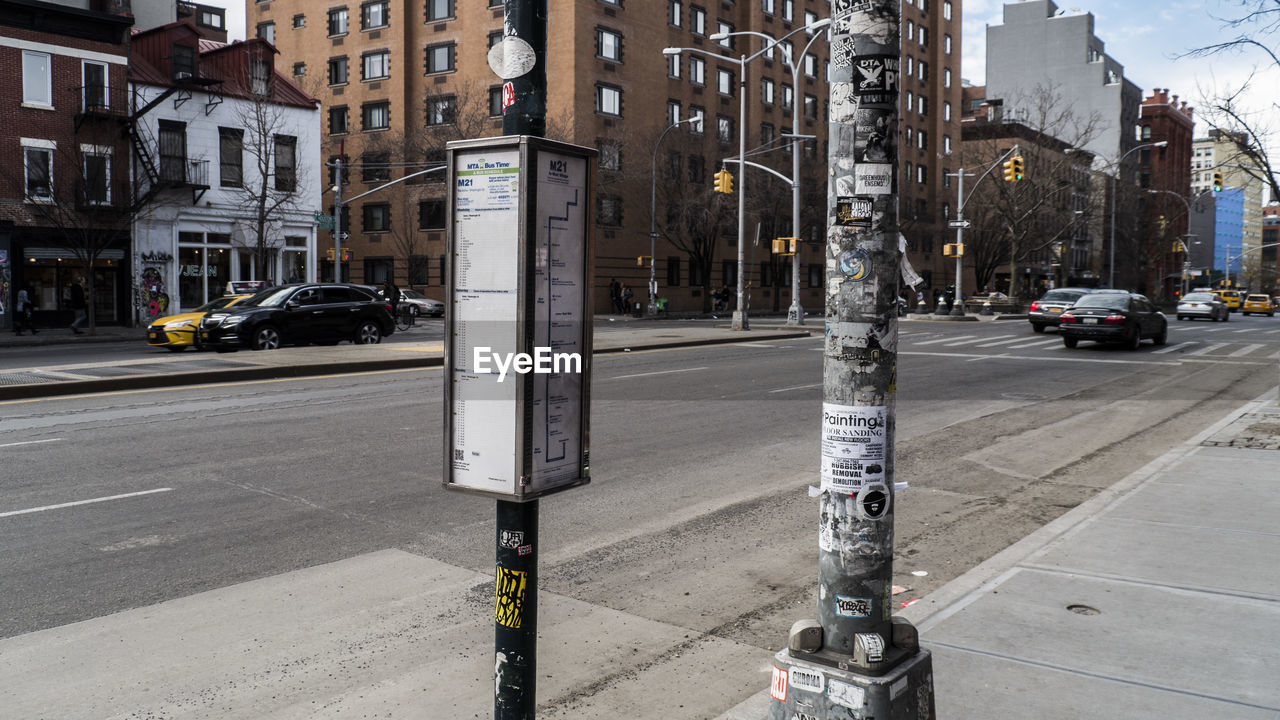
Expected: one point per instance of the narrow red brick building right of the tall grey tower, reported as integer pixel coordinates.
(1165, 174)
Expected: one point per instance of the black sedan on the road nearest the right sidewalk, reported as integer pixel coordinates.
(1128, 318)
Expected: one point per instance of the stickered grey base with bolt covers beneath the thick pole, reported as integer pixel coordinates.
(815, 690)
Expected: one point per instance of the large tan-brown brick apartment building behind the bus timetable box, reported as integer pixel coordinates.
(397, 80)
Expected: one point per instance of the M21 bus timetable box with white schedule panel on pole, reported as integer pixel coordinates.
(518, 353)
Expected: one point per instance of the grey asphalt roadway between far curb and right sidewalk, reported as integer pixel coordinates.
(698, 513)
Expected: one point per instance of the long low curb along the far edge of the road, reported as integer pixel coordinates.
(310, 370)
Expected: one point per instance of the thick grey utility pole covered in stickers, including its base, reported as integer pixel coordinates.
(857, 660)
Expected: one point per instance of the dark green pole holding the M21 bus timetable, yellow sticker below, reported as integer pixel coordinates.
(516, 534)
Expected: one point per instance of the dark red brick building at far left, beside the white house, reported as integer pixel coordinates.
(63, 158)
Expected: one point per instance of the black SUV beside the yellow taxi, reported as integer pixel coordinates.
(321, 313)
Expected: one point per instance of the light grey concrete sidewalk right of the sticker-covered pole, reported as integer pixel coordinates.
(1160, 598)
